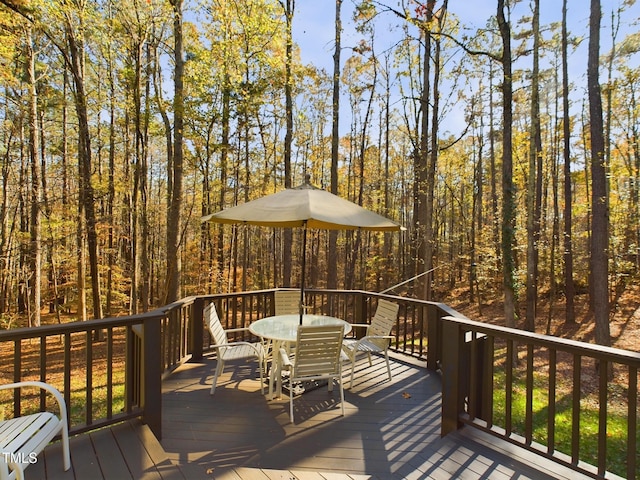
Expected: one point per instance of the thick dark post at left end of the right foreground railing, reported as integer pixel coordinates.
(452, 397)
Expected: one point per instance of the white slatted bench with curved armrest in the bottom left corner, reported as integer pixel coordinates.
(23, 438)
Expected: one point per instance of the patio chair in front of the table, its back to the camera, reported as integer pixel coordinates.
(317, 357)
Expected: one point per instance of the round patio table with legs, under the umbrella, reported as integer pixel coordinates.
(282, 330)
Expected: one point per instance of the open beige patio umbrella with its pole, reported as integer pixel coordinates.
(304, 207)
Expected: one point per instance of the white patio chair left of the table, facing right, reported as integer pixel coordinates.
(227, 350)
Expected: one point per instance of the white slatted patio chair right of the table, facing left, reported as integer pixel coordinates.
(376, 338)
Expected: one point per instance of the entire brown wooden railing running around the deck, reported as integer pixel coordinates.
(111, 369)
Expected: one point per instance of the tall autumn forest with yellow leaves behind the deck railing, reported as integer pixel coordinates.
(125, 122)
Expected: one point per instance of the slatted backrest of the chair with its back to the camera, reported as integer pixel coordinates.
(318, 351)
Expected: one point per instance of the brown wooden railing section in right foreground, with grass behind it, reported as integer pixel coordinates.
(552, 396)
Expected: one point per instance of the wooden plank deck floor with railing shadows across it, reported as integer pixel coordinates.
(391, 430)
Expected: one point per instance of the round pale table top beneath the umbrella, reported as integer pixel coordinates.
(284, 328)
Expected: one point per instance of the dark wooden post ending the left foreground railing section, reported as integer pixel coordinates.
(152, 376)
